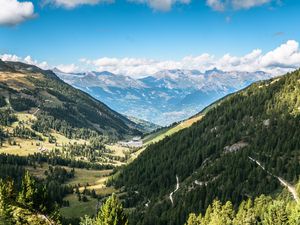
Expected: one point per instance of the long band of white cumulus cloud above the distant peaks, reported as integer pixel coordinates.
(278, 61)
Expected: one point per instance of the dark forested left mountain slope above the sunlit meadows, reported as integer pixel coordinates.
(57, 105)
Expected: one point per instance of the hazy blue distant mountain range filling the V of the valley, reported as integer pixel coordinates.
(165, 97)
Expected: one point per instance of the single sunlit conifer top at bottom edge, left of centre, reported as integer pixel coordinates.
(112, 213)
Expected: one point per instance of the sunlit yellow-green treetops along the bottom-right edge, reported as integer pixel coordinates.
(263, 210)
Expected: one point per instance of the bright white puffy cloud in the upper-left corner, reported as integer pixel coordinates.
(13, 12)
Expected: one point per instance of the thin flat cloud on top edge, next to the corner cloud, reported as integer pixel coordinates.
(70, 4)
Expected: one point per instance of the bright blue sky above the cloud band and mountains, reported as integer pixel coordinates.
(61, 35)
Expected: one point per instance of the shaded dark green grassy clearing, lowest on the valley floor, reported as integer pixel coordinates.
(79, 208)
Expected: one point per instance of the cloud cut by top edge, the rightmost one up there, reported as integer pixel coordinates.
(221, 5)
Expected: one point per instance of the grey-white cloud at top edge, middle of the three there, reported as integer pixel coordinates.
(161, 5)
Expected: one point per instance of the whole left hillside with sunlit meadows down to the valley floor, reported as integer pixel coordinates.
(64, 138)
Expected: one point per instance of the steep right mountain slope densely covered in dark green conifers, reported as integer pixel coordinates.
(212, 157)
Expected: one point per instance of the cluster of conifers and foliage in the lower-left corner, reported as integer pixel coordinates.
(29, 205)
